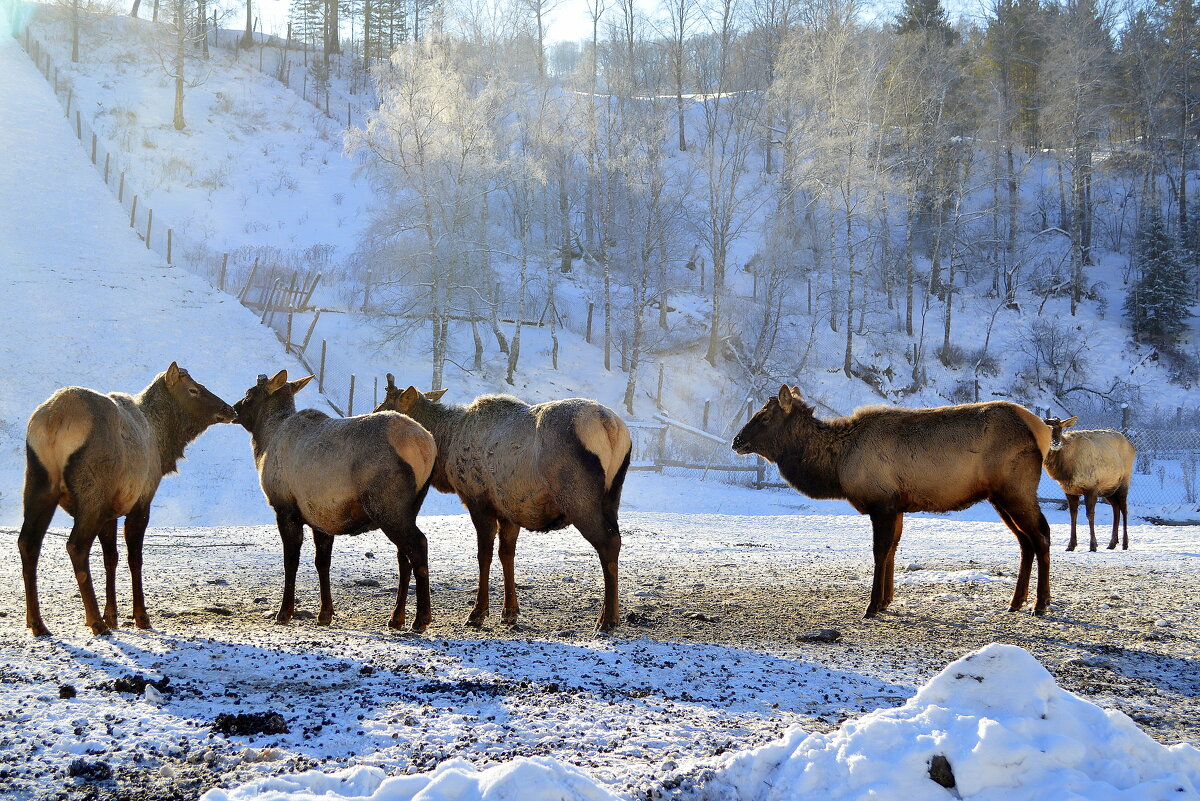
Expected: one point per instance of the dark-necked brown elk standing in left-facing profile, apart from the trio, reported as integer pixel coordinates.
(887, 462)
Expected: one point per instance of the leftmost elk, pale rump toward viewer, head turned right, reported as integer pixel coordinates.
(101, 457)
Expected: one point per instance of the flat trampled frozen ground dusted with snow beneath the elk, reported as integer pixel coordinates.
(706, 665)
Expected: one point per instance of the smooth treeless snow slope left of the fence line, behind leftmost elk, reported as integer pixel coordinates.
(87, 304)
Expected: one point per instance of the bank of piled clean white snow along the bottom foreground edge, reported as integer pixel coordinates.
(997, 718)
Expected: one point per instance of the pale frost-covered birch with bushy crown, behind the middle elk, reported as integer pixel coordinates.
(436, 156)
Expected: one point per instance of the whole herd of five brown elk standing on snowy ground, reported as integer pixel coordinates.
(544, 467)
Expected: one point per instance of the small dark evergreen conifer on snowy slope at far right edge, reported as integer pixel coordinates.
(1160, 306)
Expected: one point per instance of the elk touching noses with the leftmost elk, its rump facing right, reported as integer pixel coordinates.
(340, 477)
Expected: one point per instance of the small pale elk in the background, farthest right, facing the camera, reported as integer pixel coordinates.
(1094, 465)
